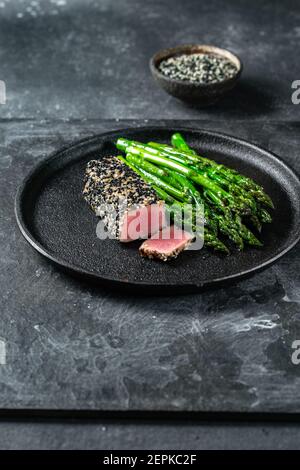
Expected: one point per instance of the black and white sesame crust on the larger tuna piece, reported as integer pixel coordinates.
(108, 181)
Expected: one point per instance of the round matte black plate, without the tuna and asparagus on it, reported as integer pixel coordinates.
(58, 223)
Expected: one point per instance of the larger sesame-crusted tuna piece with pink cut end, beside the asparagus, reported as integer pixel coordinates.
(128, 206)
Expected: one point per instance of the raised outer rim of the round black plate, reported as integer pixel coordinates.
(82, 272)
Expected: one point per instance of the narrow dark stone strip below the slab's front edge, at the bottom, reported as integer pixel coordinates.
(140, 434)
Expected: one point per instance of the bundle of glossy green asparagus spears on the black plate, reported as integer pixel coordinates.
(179, 175)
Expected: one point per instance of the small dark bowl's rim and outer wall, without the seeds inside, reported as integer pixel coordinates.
(201, 94)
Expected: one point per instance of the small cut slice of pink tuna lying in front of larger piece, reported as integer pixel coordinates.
(166, 244)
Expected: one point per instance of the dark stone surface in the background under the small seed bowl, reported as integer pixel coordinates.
(87, 58)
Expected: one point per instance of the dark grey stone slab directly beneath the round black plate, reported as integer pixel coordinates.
(74, 346)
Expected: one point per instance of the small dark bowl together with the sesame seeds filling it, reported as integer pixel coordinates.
(196, 73)
